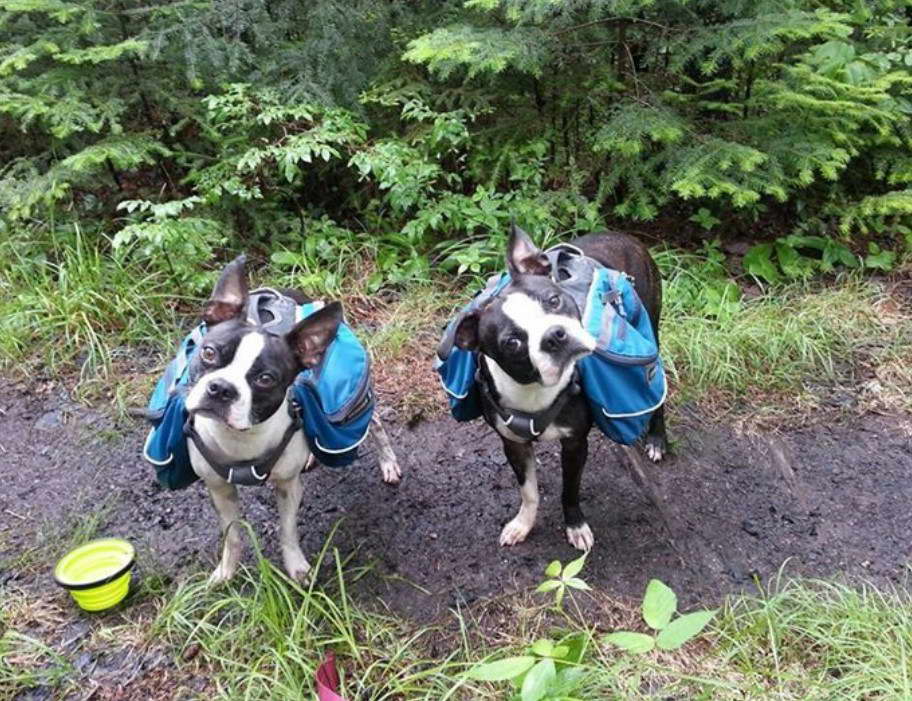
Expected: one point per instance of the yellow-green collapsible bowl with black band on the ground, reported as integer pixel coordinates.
(97, 574)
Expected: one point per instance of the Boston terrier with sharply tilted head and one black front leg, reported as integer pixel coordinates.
(529, 339)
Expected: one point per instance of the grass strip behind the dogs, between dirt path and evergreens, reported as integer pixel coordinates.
(68, 307)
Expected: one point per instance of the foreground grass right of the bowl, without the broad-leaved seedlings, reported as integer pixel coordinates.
(264, 637)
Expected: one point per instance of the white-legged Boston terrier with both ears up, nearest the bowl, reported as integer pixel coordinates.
(237, 400)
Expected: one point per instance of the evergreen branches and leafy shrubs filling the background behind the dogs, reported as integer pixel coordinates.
(185, 128)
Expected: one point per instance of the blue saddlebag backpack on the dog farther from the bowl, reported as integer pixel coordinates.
(623, 379)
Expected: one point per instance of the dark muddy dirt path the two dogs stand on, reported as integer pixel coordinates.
(831, 499)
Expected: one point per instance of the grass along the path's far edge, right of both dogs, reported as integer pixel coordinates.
(713, 339)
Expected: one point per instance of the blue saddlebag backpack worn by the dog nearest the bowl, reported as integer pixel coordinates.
(334, 400)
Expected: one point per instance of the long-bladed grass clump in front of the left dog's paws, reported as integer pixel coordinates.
(266, 635)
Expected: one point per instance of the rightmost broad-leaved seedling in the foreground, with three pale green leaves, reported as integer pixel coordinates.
(659, 604)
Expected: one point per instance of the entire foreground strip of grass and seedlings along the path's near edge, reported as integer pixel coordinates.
(263, 636)
